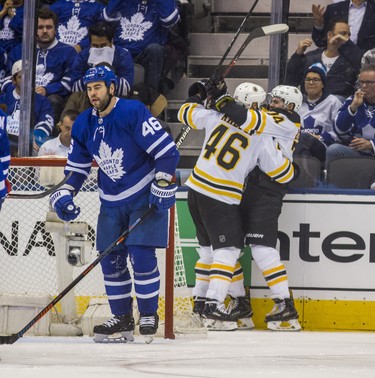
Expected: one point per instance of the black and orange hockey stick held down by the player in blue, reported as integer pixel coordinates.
(13, 338)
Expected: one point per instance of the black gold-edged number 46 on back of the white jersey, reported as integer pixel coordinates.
(227, 156)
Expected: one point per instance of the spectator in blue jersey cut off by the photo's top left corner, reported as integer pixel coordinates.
(11, 24)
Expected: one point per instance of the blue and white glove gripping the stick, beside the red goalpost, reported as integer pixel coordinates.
(163, 193)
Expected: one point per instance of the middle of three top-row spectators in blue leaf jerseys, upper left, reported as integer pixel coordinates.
(74, 18)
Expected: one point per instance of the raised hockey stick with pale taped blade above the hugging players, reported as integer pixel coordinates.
(262, 31)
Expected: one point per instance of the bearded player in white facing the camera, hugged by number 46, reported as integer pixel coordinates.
(262, 202)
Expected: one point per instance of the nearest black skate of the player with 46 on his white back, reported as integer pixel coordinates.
(216, 317)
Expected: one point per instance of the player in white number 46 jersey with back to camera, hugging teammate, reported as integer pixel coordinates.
(216, 187)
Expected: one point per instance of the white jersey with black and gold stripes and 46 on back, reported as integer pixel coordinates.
(229, 154)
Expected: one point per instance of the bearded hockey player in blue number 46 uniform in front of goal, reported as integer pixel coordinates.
(137, 161)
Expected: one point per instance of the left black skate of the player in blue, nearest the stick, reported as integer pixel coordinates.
(119, 329)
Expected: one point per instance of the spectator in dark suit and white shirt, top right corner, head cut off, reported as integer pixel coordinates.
(359, 14)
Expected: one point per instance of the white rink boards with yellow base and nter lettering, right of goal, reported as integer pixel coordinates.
(327, 243)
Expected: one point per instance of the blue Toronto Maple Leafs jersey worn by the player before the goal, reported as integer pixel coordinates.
(128, 144)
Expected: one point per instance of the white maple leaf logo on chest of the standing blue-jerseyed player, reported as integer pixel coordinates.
(110, 163)
